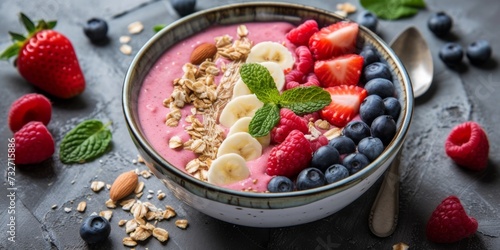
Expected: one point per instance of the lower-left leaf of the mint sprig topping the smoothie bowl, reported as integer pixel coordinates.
(264, 120)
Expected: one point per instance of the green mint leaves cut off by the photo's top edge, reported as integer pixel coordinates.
(393, 9)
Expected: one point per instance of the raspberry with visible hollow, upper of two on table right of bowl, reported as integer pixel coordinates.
(467, 145)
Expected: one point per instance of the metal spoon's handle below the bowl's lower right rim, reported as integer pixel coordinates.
(385, 210)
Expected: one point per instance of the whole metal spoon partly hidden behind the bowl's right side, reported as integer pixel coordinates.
(415, 55)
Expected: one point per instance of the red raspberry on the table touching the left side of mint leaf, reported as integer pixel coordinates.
(34, 143)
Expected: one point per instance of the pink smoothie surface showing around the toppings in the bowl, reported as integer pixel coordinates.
(158, 85)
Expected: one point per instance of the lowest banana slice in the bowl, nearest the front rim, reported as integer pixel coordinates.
(228, 169)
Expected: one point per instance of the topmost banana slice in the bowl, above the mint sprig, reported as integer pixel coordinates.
(271, 52)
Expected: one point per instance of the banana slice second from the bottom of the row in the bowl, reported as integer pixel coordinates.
(241, 143)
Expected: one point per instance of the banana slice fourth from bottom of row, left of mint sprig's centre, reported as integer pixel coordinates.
(241, 106)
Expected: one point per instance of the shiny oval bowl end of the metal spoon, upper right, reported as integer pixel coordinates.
(415, 55)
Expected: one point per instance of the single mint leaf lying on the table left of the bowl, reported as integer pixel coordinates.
(86, 141)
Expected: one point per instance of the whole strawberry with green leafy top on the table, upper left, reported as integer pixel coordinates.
(46, 59)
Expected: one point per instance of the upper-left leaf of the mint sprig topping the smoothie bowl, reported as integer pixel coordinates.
(260, 82)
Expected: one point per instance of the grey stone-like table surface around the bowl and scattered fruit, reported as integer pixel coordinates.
(427, 174)
